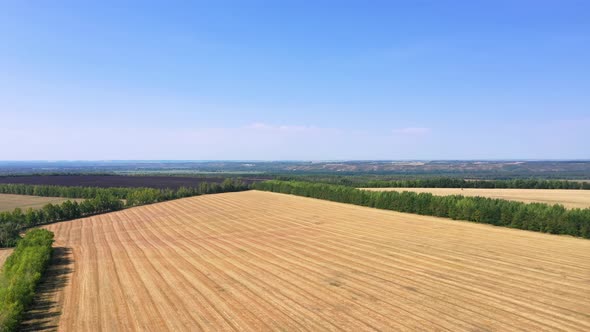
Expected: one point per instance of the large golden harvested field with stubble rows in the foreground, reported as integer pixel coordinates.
(255, 261)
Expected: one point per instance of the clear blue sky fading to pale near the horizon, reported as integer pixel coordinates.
(270, 80)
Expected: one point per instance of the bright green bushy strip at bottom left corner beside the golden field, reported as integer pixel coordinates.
(21, 274)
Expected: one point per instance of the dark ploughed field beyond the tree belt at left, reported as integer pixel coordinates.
(105, 181)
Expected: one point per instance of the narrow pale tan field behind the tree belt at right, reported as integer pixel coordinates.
(568, 198)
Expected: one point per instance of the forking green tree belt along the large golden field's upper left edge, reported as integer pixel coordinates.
(97, 200)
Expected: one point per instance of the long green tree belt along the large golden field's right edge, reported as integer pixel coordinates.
(539, 217)
